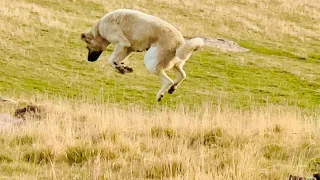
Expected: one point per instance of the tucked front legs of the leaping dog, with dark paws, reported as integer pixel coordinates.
(118, 55)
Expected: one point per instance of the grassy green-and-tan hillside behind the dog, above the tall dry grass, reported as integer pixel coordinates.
(43, 54)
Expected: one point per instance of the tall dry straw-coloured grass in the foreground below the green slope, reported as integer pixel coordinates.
(87, 141)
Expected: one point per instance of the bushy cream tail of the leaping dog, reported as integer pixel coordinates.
(185, 51)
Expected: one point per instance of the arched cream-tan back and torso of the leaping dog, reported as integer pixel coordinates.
(142, 30)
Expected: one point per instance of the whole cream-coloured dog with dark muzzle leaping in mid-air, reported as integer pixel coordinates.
(134, 31)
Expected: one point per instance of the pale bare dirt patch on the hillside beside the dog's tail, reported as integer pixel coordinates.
(222, 44)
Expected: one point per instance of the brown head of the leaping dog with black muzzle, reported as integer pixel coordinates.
(95, 45)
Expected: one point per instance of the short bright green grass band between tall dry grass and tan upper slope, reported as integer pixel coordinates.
(222, 76)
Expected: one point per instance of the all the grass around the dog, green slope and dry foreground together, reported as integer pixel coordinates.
(252, 115)
